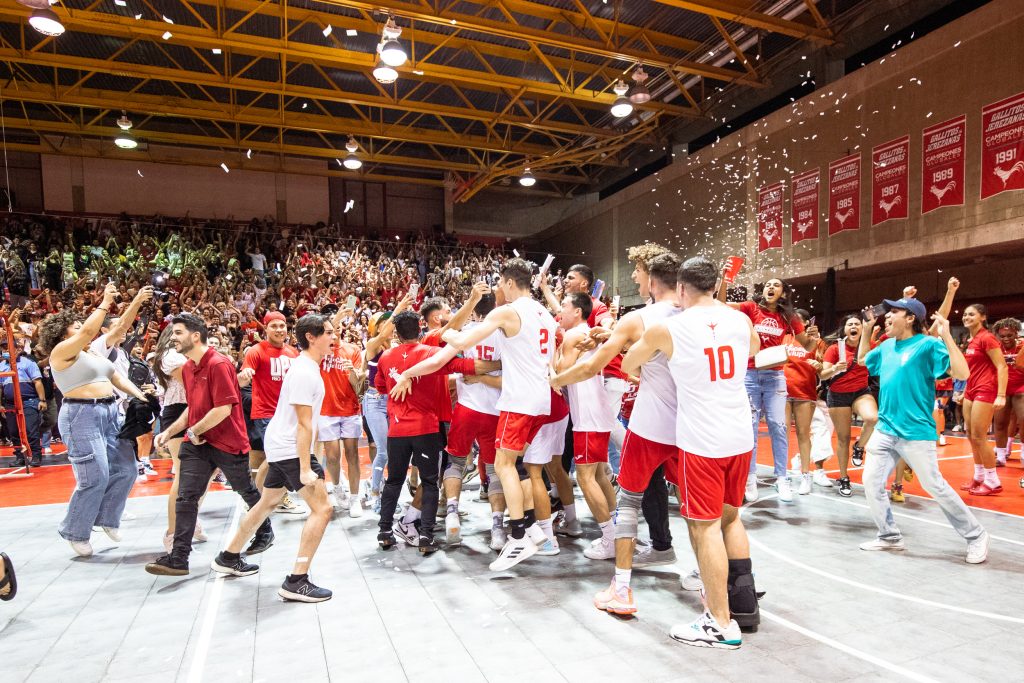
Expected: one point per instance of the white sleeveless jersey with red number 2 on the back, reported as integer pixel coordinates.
(526, 360)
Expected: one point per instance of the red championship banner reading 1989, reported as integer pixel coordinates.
(944, 151)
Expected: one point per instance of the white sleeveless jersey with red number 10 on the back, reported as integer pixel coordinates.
(710, 348)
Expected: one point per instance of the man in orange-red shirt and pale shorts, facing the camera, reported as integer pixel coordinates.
(340, 423)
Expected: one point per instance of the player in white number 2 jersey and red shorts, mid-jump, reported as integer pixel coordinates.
(528, 347)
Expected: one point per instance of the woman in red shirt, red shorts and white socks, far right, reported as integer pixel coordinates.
(986, 394)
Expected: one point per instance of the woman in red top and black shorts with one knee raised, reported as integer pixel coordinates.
(849, 394)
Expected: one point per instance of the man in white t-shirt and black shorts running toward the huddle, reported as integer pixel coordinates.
(288, 445)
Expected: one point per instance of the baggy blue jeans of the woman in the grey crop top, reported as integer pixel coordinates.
(104, 465)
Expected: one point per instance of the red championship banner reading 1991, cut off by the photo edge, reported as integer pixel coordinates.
(1003, 147)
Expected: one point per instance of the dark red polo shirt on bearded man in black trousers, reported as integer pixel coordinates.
(208, 386)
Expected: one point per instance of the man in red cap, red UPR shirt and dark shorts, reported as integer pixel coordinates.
(266, 366)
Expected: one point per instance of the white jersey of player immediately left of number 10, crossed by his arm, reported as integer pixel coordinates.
(655, 411)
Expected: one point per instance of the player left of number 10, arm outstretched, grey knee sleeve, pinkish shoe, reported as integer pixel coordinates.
(651, 440)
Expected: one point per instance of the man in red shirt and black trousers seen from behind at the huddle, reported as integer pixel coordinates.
(413, 430)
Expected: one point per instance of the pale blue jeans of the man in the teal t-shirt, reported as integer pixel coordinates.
(883, 453)
